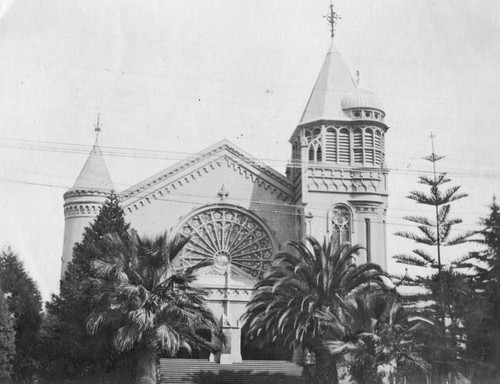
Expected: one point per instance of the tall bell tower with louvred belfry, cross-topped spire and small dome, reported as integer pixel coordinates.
(338, 161)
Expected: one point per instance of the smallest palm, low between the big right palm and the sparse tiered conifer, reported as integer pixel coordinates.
(378, 333)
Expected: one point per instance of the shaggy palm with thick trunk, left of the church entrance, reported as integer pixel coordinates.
(151, 305)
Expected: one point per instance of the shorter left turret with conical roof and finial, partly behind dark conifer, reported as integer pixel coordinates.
(84, 200)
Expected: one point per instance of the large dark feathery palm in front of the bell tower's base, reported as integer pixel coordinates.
(287, 304)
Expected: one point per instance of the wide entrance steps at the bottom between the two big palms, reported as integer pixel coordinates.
(192, 371)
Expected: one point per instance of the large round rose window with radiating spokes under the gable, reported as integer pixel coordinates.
(228, 237)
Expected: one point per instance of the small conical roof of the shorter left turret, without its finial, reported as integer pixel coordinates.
(94, 175)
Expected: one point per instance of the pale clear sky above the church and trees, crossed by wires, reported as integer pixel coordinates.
(170, 78)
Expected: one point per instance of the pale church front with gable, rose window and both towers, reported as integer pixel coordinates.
(238, 211)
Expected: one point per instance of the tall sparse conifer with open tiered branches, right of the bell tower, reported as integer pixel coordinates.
(441, 285)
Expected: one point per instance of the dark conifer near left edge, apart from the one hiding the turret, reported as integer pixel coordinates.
(25, 305)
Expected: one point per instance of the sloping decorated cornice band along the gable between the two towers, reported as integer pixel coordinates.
(194, 166)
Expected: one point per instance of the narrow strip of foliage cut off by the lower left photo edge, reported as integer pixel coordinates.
(7, 339)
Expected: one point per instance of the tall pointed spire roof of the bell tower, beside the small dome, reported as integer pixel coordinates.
(334, 81)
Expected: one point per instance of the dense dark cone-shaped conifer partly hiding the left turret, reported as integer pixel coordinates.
(66, 348)
